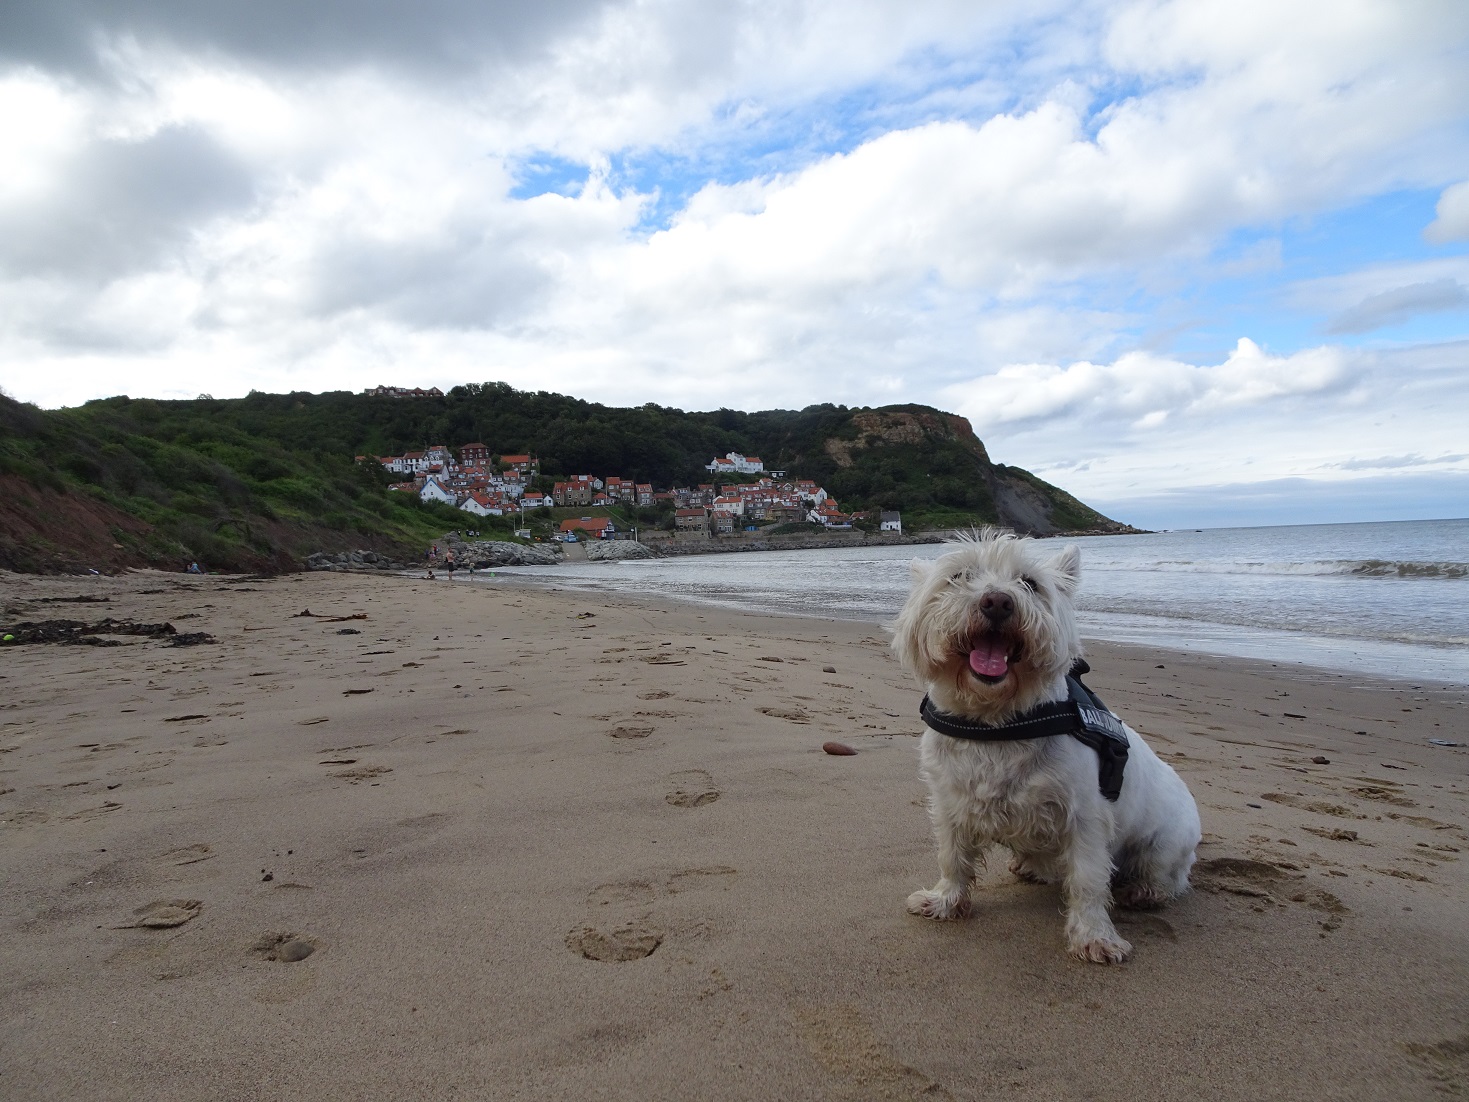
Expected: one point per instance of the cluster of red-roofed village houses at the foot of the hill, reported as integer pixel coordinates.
(741, 496)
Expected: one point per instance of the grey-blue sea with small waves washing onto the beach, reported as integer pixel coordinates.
(1373, 599)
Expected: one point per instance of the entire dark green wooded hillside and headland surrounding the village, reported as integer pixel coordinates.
(259, 483)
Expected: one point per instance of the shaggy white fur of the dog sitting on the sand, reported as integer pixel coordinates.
(1039, 797)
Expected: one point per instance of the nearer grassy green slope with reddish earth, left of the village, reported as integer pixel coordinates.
(126, 483)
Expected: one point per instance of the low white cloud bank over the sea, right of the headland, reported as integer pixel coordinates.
(1107, 431)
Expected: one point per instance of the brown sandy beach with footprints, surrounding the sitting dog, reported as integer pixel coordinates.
(471, 810)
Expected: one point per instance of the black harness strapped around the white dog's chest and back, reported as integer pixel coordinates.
(1083, 716)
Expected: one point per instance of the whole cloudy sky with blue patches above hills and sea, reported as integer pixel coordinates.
(1197, 261)
